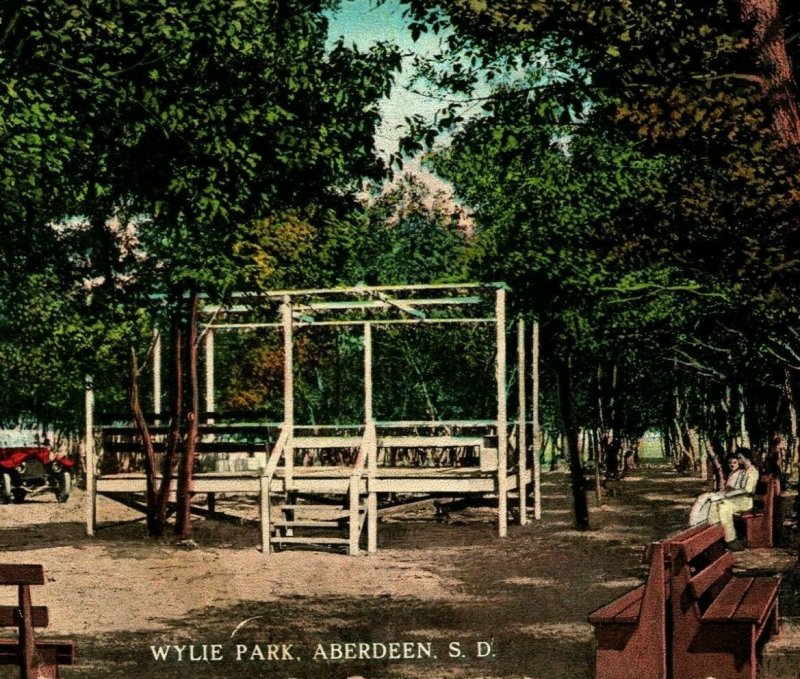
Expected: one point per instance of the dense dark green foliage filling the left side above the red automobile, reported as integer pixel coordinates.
(191, 137)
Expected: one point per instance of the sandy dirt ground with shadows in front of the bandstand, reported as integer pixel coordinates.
(451, 599)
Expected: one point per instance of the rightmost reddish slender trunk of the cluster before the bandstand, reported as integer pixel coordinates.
(183, 523)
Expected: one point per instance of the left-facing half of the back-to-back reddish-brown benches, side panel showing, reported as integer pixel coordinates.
(631, 632)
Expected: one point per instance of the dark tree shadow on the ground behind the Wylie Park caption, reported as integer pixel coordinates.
(517, 648)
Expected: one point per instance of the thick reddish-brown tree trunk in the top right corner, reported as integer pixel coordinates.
(763, 17)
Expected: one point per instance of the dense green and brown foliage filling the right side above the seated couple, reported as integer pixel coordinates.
(662, 235)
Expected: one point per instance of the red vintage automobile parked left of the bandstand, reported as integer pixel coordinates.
(30, 467)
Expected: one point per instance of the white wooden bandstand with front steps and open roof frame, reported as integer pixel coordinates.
(333, 481)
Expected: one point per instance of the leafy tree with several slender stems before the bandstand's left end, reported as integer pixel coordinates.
(199, 118)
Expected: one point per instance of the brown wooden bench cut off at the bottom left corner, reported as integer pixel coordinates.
(37, 659)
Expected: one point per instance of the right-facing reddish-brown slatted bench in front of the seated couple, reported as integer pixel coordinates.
(719, 621)
